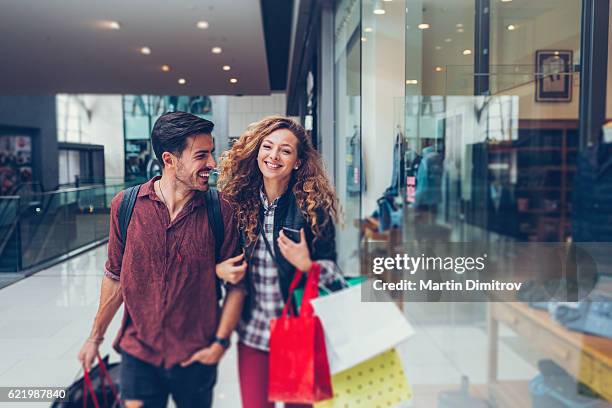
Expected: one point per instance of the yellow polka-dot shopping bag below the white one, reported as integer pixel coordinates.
(379, 382)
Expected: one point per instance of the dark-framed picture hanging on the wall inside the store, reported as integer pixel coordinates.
(553, 76)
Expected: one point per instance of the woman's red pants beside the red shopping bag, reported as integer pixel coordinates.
(253, 372)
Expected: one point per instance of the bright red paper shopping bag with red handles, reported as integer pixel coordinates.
(299, 370)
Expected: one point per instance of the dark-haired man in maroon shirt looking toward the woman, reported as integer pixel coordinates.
(173, 333)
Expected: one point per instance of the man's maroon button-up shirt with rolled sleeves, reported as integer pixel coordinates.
(167, 275)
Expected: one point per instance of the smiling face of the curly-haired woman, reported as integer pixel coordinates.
(278, 155)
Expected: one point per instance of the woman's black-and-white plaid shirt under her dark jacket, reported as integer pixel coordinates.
(269, 300)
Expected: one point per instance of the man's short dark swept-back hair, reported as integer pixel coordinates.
(172, 129)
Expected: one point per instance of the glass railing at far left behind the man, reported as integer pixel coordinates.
(39, 227)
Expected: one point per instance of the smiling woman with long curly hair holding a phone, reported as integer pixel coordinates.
(286, 209)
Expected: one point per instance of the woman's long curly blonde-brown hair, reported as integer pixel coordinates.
(241, 180)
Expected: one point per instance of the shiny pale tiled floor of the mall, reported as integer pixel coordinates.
(45, 317)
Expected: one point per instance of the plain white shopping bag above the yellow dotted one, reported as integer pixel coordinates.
(356, 331)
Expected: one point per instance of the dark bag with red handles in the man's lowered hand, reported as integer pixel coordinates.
(98, 388)
